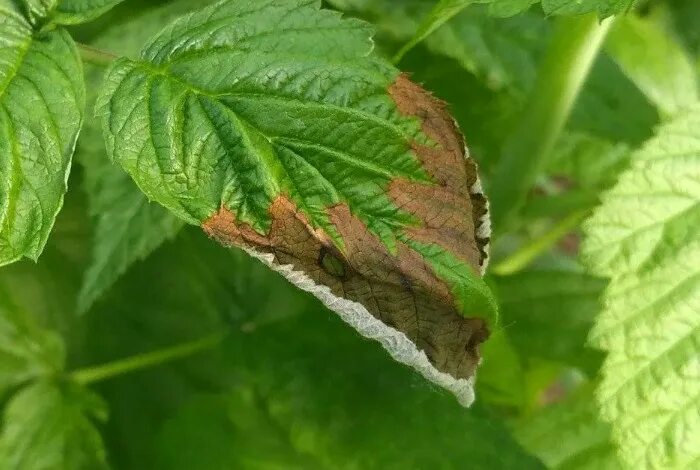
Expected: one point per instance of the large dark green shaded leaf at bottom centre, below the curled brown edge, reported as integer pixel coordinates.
(296, 404)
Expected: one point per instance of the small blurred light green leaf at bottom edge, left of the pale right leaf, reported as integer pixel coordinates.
(569, 435)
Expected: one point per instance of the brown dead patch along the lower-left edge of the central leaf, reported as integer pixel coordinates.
(401, 290)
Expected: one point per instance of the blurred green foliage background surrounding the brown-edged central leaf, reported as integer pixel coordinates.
(291, 386)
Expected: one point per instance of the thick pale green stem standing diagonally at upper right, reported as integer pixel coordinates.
(574, 46)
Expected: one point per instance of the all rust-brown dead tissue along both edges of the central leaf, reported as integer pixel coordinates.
(398, 288)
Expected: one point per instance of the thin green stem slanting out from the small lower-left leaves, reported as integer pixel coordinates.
(143, 361)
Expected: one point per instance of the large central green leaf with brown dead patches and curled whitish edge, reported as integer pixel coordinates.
(274, 127)
